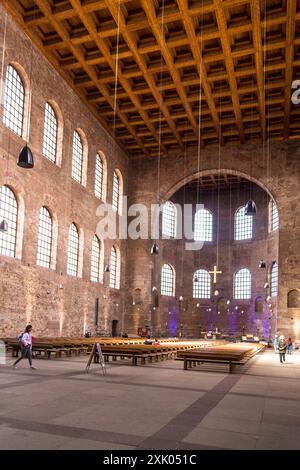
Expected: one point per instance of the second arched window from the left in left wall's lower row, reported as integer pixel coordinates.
(44, 238)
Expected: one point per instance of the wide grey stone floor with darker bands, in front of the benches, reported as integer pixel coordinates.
(157, 406)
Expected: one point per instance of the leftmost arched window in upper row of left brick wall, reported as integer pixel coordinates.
(14, 100)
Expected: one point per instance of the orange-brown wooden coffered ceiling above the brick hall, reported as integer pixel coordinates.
(138, 65)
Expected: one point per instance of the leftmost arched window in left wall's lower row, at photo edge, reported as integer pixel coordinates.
(9, 213)
